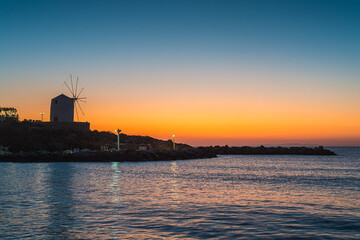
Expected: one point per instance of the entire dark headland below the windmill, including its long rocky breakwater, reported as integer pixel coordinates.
(30, 141)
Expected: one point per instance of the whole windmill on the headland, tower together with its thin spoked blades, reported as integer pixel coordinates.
(63, 107)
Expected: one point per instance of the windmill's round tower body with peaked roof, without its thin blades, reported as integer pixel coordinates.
(62, 109)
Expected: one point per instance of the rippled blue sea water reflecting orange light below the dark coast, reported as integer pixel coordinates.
(230, 197)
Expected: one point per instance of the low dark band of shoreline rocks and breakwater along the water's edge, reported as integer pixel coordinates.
(145, 155)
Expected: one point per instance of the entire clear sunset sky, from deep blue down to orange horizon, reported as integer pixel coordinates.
(210, 72)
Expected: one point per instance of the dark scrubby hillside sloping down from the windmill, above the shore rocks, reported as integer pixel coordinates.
(32, 136)
